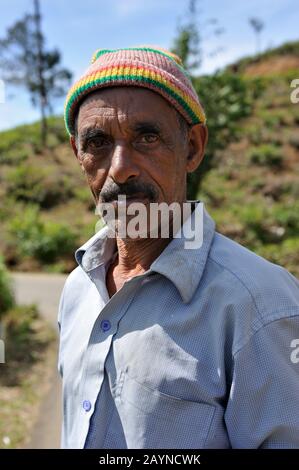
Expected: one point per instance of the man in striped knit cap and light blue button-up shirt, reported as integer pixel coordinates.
(163, 346)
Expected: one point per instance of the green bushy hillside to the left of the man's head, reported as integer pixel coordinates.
(46, 210)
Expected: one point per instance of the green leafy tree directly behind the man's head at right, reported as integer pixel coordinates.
(225, 96)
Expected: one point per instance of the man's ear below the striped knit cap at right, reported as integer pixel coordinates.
(198, 138)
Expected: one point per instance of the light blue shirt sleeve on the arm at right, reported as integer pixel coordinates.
(263, 406)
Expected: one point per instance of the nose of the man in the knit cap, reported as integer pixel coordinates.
(123, 165)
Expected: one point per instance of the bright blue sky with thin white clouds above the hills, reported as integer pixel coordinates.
(77, 28)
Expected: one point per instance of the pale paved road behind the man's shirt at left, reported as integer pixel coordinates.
(44, 290)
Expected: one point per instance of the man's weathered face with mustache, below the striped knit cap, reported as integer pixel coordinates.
(130, 143)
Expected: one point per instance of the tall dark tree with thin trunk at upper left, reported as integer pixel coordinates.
(24, 61)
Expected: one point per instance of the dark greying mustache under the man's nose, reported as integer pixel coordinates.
(129, 189)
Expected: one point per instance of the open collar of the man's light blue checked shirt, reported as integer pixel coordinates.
(184, 267)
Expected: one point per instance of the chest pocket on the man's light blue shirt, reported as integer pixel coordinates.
(152, 419)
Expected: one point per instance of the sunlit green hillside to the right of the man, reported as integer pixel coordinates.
(253, 190)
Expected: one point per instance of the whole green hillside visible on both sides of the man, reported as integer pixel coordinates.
(252, 189)
